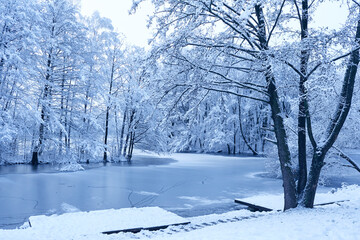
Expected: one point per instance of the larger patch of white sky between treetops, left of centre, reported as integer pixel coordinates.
(132, 26)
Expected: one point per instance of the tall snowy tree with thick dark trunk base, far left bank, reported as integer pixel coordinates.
(56, 59)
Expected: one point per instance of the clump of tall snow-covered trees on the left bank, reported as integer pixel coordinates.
(71, 89)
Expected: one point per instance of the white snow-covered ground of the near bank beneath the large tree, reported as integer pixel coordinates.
(336, 221)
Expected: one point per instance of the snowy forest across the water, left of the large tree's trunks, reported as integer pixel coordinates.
(71, 89)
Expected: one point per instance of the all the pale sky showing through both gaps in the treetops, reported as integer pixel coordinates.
(329, 15)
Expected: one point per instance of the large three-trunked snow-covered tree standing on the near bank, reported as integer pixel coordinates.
(240, 48)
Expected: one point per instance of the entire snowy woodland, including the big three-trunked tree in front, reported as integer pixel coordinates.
(230, 77)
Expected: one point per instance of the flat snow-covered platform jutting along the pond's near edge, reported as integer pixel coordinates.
(108, 221)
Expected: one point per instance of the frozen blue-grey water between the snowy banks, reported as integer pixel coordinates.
(192, 184)
